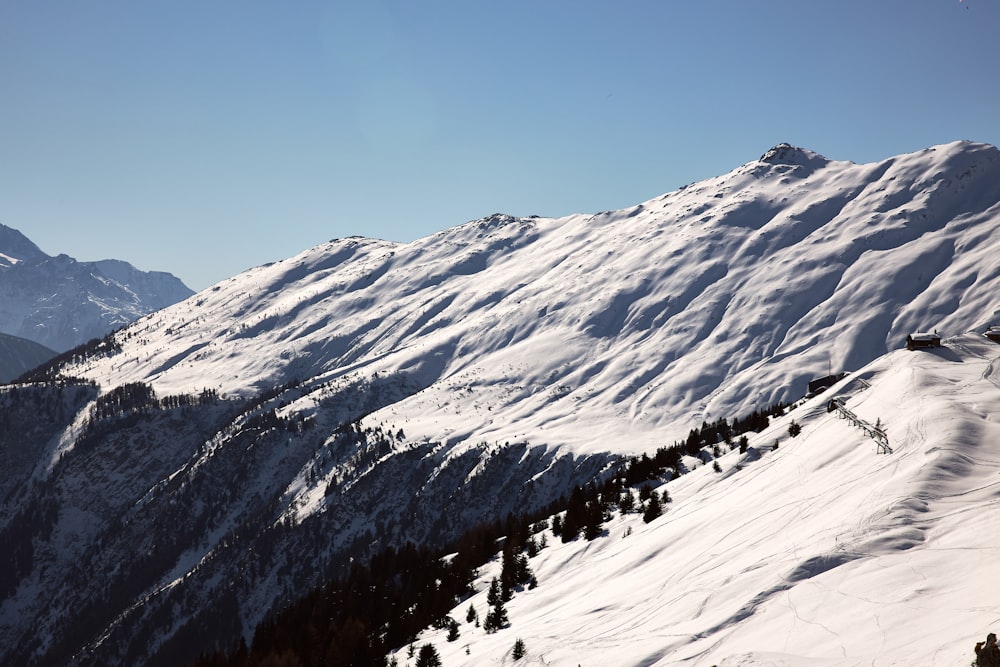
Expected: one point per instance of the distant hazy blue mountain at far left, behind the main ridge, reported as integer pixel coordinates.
(61, 303)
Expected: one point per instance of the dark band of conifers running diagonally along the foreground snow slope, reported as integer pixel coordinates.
(359, 619)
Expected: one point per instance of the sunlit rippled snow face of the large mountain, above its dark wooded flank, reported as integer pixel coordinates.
(706, 302)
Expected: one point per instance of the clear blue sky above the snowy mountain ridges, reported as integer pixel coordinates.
(203, 138)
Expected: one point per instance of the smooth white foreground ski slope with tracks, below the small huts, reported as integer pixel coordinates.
(819, 552)
